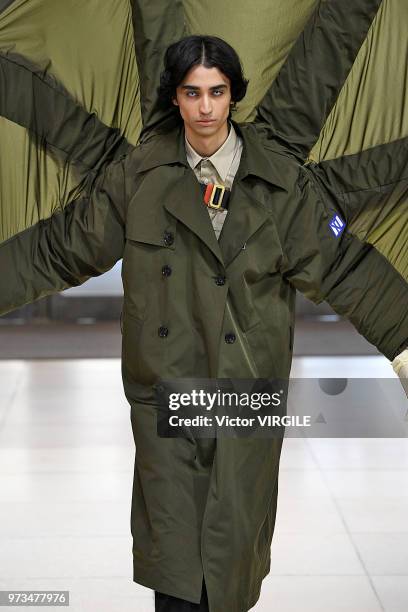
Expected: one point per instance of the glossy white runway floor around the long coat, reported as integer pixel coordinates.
(66, 469)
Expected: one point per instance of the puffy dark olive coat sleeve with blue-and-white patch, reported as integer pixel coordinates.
(325, 261)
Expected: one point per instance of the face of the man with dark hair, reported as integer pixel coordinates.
(204, 98)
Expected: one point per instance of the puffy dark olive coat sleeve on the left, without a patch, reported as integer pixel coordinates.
(83, 239)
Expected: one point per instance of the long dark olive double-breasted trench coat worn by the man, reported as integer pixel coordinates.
(207, 507)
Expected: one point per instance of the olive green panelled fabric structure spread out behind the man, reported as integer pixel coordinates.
(69, 95)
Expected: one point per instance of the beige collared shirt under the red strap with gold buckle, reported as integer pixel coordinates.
(221, 167)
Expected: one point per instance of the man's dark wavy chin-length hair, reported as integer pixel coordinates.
(208, 51)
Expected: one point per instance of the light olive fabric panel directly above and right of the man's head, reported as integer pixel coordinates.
(262, 34)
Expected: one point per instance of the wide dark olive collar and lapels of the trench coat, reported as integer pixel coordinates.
(246, 214)
